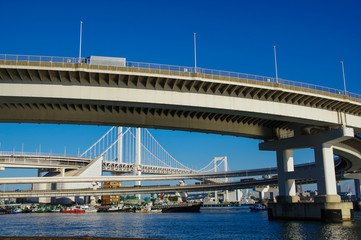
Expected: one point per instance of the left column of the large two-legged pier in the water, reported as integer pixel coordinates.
(287, 187)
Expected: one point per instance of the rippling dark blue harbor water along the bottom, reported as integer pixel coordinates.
(210, 223)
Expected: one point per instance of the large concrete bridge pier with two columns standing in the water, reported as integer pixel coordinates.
(327, 205)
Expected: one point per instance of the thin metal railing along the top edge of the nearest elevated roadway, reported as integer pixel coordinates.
(182, 69)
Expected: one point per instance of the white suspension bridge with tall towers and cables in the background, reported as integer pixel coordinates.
(123, 150)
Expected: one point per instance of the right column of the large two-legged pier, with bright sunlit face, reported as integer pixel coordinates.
(326, 177)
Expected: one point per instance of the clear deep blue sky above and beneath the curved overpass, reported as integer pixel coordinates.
(312, 37)
